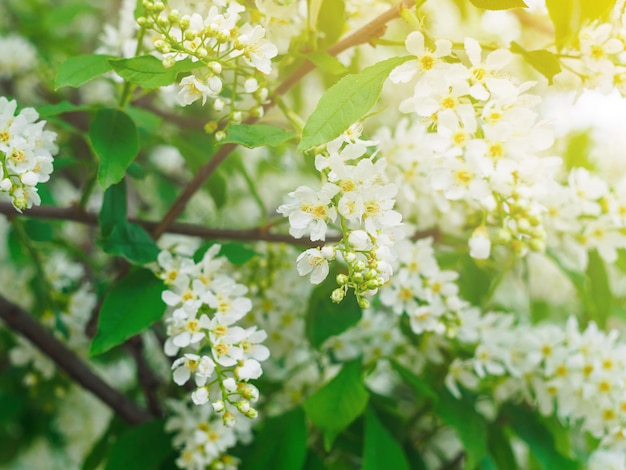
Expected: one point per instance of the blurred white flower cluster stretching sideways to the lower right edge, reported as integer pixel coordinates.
(580, 375)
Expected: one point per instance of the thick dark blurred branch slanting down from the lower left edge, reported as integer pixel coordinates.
(22, 322)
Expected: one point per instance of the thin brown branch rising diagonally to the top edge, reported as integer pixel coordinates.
(362, 35)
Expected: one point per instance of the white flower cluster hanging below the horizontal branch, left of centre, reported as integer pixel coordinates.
(219, 356)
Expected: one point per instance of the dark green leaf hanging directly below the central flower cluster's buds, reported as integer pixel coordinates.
(325, 318)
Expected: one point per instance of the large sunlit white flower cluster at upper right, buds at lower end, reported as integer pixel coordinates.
(481, 135)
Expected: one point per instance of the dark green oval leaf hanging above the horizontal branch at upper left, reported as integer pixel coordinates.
(114, 138)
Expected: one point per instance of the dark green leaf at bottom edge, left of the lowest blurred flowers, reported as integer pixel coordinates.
(143, 447)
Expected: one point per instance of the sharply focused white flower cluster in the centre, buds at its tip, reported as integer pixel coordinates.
(359, 200)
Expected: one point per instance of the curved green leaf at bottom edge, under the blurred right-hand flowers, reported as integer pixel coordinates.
(470, 427)
